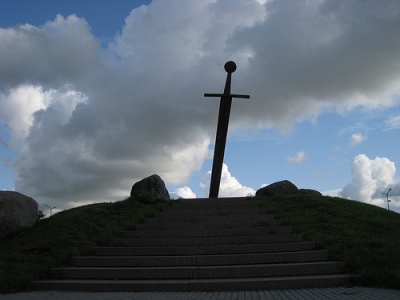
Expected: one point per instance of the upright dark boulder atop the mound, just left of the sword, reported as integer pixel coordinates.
(150, 190)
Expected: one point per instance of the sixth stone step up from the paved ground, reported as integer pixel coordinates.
(209, 232)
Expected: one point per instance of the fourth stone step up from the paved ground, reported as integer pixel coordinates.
(205, 250)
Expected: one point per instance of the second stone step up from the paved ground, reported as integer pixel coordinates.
(201, 272)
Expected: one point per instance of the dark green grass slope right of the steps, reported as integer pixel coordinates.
(365, 237)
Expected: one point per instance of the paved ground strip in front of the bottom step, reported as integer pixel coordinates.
(342, 293)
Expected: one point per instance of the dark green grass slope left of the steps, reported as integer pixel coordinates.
(31, 254)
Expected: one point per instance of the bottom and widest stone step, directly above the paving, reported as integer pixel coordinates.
(187, 285)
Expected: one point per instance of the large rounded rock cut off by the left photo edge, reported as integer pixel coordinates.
(17, 212)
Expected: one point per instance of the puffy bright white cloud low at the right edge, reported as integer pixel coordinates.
(371, 177)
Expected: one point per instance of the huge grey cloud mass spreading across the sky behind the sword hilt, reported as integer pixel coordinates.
(137, 107)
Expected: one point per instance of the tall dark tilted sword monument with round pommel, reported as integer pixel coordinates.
(222, 129)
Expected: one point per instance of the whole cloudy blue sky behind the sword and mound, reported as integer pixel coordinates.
(95, 96)
